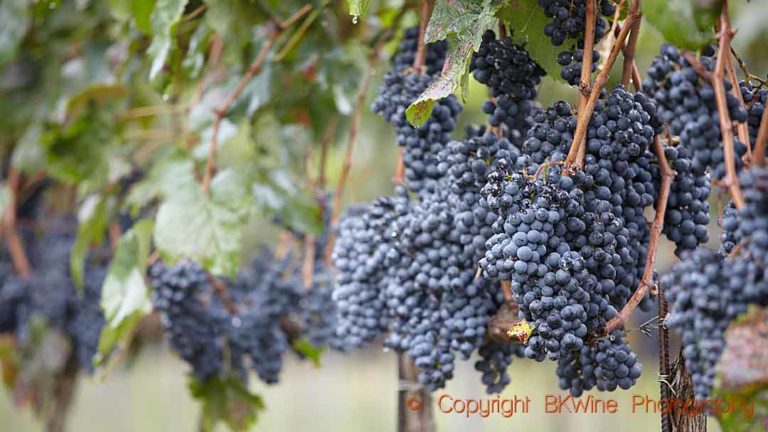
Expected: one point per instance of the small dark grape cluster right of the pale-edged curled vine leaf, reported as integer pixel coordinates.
(512, 75)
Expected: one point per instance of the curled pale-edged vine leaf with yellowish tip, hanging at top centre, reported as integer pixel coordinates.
(463, 23)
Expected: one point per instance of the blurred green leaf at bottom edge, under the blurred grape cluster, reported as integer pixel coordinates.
(226, 399)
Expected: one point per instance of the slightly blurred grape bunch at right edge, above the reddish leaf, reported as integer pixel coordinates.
(708, 289)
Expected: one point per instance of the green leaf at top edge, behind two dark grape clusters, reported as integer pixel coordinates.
(526, 21)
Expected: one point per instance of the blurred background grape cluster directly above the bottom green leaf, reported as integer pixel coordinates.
(249, 321)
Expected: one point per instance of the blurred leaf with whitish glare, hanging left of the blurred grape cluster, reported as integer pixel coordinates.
(124, 295)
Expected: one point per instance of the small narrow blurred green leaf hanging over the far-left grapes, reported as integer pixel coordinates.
(92, 223)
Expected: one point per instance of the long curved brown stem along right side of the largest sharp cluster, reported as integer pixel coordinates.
(667, 175)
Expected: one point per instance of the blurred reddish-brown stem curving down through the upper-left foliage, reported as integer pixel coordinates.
(277, 27)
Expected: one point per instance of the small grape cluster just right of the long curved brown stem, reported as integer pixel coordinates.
(687, 215)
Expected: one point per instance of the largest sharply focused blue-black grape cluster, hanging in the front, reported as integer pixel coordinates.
(573, 246)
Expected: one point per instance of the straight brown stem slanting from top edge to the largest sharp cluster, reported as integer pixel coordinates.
(578, 148)
